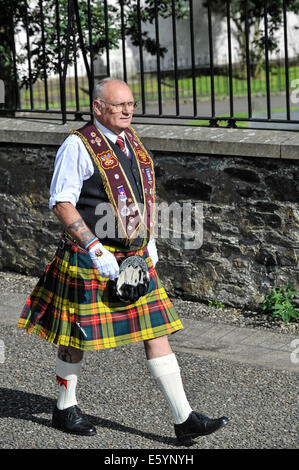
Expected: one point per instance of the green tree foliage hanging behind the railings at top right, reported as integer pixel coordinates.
(255, 17)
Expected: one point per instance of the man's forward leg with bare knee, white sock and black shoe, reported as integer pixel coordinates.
(164, 367)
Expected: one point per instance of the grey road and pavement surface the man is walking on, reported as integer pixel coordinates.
(247, 374)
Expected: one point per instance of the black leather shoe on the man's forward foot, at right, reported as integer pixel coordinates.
(198, 425)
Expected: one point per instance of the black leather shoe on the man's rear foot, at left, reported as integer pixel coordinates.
(71, 420)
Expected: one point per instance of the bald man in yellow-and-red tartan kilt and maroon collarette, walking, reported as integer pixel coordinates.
(74, 304)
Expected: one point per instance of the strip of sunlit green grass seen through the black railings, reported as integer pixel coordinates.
(185, 89)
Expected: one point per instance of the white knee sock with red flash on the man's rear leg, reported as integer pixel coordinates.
(67, 376)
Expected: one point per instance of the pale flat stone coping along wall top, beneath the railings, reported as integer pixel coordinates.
(200, 140)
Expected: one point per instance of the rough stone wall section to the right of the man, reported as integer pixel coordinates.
(250, 227)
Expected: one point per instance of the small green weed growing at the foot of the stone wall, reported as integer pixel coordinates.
(279, 304)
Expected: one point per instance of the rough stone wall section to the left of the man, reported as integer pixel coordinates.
(29, 230)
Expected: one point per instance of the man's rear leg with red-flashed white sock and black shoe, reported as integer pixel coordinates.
(67, 416)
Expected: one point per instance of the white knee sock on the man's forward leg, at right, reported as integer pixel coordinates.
(166, 371)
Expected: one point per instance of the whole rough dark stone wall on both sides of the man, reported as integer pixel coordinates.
(250, 216)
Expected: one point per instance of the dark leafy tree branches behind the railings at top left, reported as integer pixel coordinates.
(44, 21)
